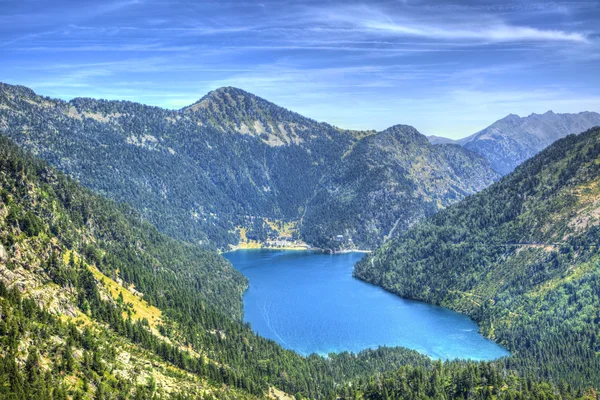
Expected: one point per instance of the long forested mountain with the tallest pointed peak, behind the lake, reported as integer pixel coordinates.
(186, 172)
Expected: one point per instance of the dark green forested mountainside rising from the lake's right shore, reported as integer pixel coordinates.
(520, 257)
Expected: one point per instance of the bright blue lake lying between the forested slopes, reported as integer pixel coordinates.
(309, 302)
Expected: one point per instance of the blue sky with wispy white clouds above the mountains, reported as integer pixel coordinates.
(447, 68)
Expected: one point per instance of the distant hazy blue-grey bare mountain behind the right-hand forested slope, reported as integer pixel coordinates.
(510, 141)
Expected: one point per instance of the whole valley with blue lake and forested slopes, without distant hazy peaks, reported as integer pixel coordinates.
(131, 297)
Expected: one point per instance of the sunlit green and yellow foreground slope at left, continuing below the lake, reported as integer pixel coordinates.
(97, 304)
